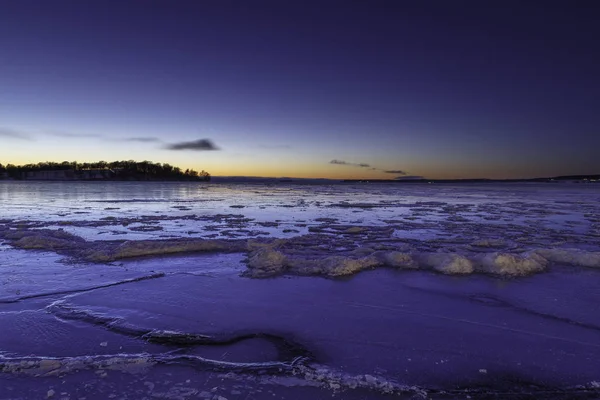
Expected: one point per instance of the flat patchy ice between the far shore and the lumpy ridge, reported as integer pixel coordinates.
(523, 215)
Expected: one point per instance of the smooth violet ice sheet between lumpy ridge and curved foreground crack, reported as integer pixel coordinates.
(375, 325)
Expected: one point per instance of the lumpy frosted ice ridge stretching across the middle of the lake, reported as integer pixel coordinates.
(337, 253)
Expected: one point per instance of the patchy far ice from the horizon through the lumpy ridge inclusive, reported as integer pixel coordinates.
(326, 230)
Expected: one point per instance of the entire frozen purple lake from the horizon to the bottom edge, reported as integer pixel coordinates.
(296, 291)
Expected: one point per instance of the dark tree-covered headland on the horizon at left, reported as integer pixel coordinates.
(124, 170)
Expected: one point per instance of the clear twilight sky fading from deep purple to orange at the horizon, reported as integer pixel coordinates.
(321, 89)
